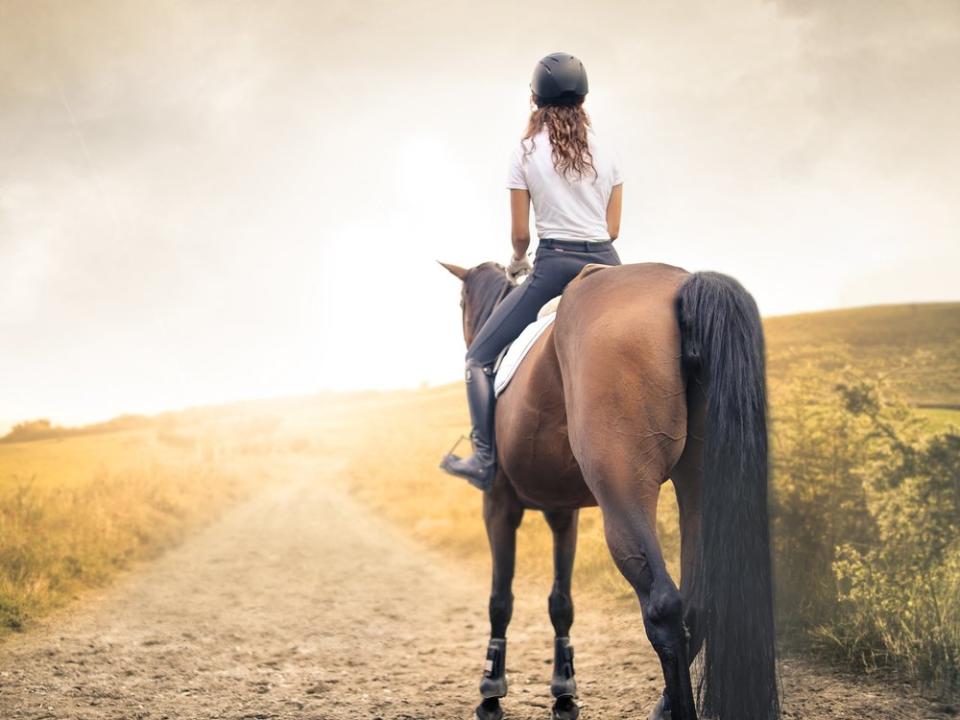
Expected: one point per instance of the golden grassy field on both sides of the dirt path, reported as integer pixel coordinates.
(80, 506)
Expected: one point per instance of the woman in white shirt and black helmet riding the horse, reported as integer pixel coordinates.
(576, 189)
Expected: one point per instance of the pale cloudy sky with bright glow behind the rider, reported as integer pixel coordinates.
(206, 201)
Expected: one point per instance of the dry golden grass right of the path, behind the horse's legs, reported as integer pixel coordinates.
(393, 468)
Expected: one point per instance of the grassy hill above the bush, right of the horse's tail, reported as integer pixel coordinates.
(916, 346)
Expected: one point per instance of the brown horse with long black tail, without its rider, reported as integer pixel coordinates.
(648, 373)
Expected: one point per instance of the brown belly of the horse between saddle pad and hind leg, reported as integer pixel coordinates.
(531, 431)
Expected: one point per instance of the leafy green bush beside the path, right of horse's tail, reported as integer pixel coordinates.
(865, 517)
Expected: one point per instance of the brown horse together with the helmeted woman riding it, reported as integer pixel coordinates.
(649, 373)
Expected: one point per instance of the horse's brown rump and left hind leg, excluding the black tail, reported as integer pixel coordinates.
(618, 343)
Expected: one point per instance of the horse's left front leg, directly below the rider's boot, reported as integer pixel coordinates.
(502, 514)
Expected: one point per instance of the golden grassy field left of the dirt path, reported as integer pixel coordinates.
(77, 509)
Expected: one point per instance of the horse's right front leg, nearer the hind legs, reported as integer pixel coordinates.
(563, 686)
